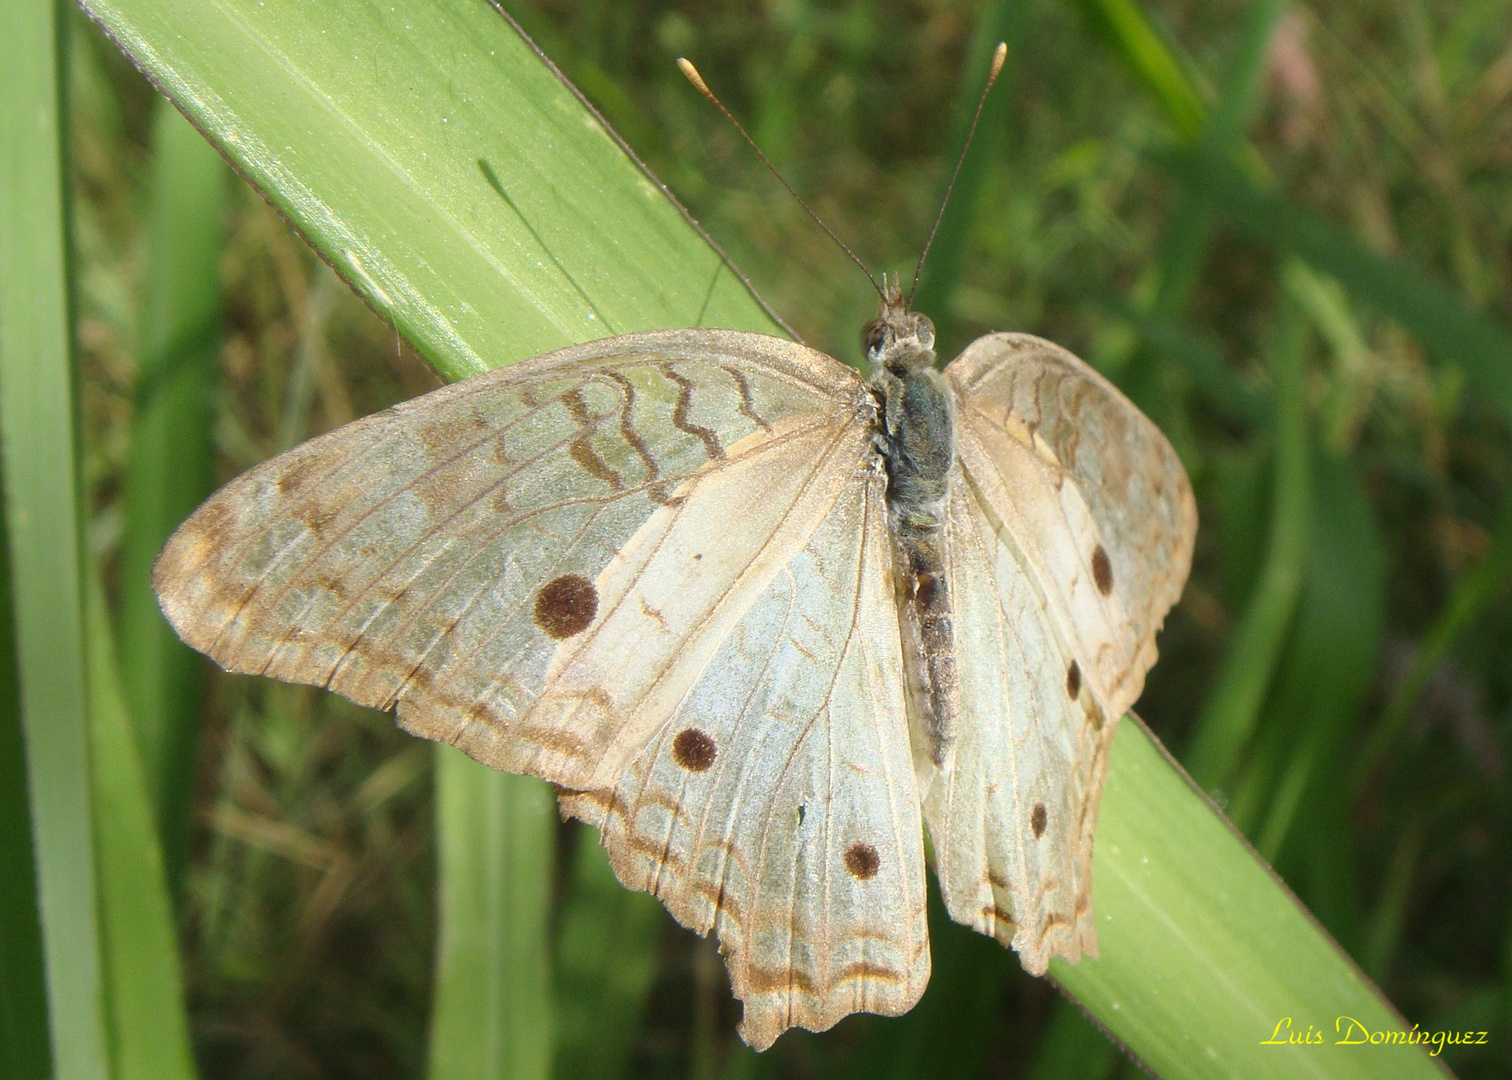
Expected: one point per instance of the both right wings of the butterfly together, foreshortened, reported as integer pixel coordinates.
(1070, 535)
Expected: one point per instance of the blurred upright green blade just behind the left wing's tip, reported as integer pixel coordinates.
(172, 465)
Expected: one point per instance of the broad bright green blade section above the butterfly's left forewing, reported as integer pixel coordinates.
(482, 209)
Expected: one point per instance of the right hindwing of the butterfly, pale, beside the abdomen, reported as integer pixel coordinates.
(1012, 815)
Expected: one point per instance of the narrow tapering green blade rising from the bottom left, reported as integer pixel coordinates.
(144, 990)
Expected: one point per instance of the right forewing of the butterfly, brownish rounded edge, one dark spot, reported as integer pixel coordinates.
(1127, 498)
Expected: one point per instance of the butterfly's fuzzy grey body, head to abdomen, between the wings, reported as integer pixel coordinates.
(919, 445)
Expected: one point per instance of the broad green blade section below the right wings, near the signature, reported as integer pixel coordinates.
(1204, 954)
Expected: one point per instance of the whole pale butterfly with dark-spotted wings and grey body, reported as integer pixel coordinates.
(758, 619)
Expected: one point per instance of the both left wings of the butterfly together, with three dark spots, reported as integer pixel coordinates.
(654, 571)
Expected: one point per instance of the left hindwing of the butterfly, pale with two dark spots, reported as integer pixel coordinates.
(778, 807)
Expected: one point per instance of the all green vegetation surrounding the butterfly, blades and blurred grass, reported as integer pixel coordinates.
(1283, 231)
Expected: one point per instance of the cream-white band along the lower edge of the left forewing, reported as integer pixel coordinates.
(672, 595)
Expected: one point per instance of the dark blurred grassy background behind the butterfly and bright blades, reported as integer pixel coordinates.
(1286, 231)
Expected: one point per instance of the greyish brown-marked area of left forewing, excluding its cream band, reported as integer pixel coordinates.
(438, 557)
